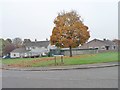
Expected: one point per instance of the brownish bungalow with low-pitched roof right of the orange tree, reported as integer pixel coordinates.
(100, 44)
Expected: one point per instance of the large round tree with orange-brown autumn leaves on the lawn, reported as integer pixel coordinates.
(69, 31)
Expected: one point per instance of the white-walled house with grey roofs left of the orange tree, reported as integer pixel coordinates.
(31, 49)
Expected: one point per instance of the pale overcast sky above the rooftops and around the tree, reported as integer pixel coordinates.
(33, 19)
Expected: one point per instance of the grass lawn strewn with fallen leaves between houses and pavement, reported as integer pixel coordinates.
(75, 60)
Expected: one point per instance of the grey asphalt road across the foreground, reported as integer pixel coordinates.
(82, 78)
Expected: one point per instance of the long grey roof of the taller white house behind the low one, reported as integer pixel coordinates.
(37, 43)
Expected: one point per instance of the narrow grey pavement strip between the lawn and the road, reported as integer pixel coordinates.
(70, 67)
